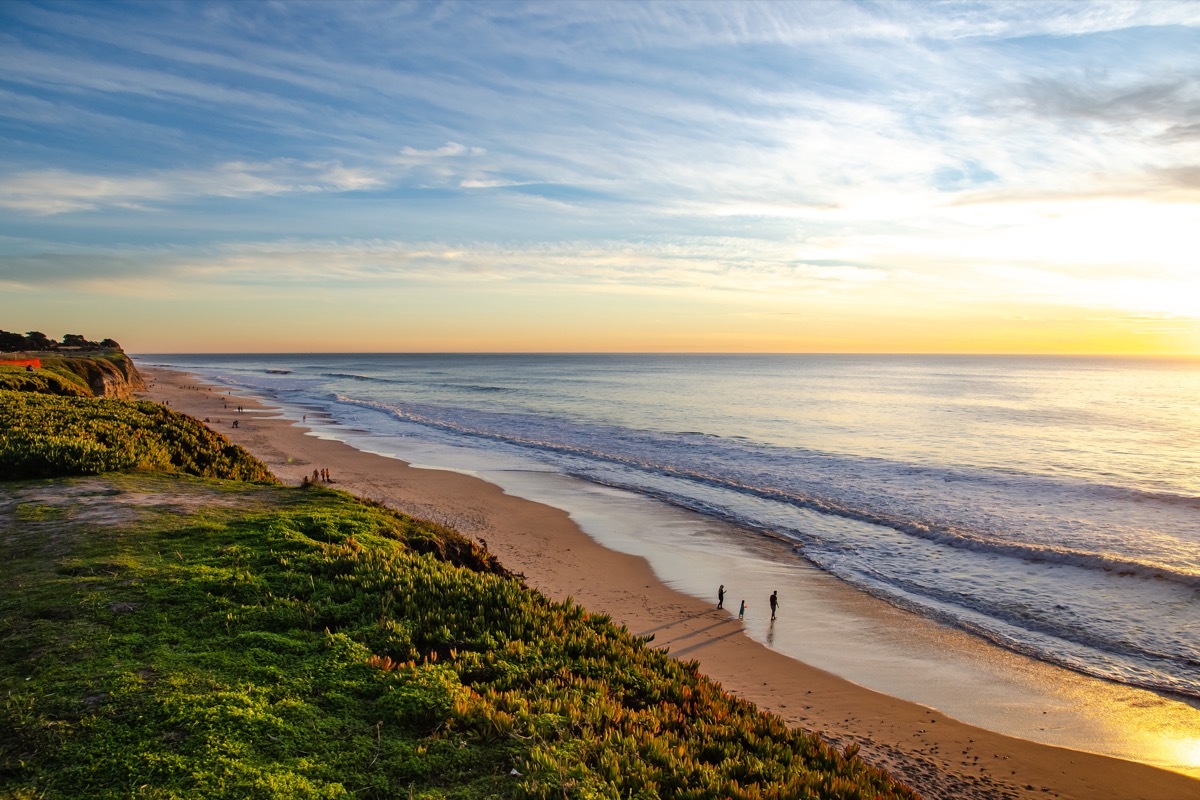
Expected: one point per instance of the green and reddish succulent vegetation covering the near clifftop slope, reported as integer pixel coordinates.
(171, 636)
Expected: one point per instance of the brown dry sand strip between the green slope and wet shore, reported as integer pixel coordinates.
(934, 754)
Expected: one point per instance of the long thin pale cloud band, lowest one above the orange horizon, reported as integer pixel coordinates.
(616, 266)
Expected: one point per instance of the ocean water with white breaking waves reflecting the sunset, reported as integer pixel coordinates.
(1047, 504)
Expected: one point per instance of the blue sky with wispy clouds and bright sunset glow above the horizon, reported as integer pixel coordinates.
(817, 177)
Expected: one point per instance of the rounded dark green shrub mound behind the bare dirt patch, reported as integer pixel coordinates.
(43, 436)
